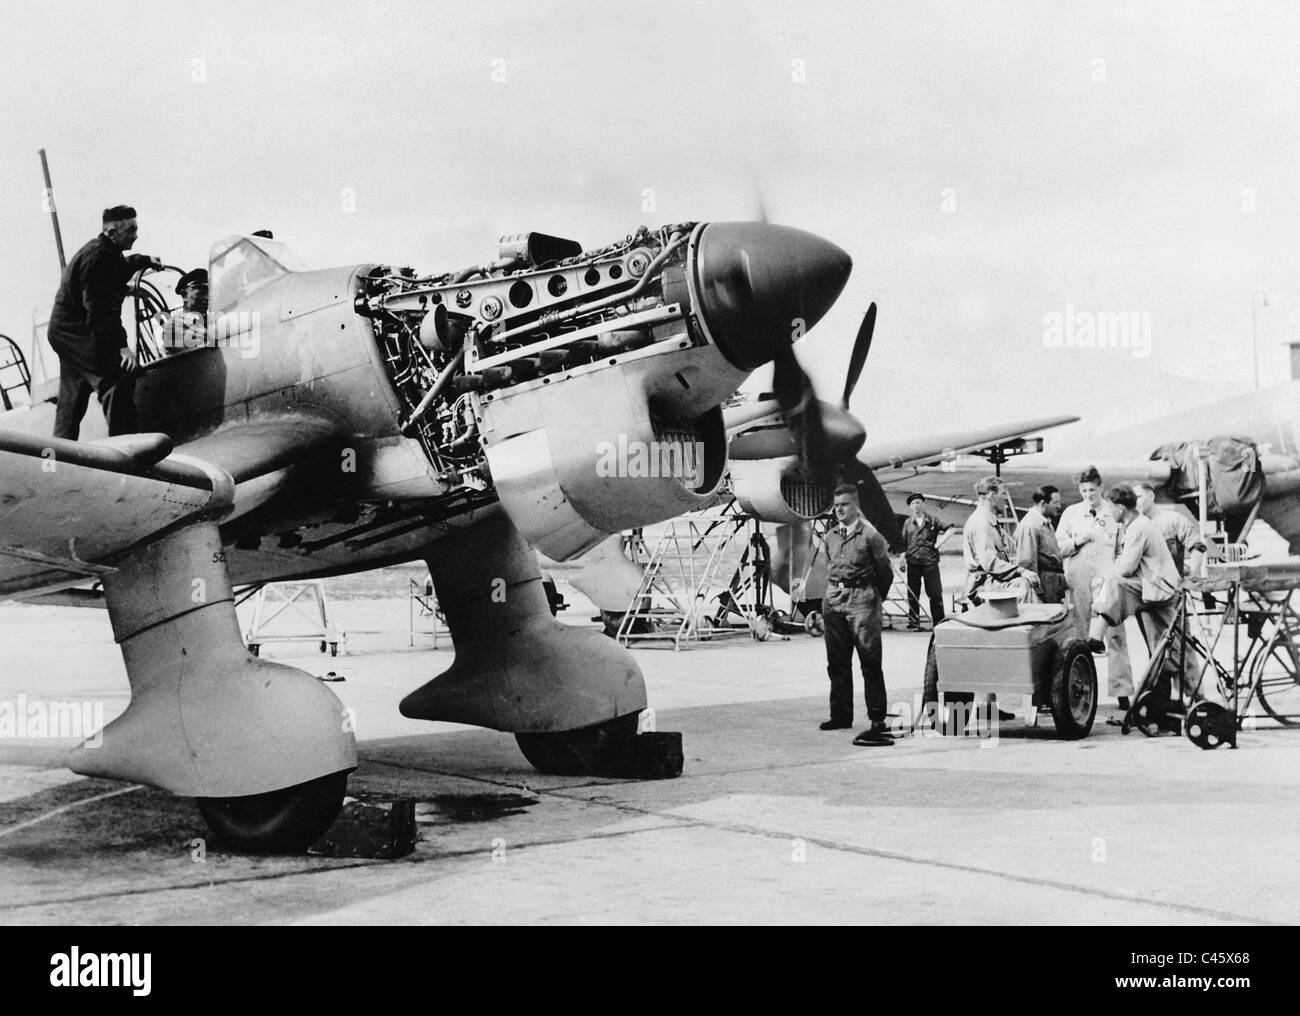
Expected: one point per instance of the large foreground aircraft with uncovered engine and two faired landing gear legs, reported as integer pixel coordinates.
(348, 419)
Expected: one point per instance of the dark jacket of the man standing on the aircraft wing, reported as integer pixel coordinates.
(86, 324)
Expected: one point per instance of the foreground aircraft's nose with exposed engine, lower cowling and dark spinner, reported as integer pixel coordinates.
(584, 388)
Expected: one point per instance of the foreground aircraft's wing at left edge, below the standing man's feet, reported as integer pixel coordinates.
(70, 510)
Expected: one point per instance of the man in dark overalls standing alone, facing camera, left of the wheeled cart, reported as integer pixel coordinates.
(859, 580)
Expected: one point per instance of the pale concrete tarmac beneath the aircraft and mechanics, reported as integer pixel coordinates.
(773, 820)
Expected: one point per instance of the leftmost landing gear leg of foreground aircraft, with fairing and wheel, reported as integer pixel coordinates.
(266, 749)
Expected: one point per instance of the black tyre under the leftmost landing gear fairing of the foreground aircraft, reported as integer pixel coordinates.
(283, 822)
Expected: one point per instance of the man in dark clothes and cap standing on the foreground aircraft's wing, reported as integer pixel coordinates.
(86, 329)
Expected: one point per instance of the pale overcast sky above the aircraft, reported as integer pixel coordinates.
(986, 166)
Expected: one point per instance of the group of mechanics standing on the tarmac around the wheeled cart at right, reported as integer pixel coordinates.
(1108, 558)
